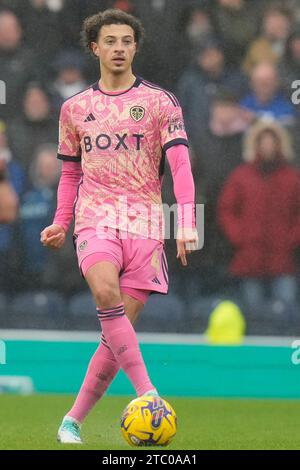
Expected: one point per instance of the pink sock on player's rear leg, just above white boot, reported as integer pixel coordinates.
(102, 369)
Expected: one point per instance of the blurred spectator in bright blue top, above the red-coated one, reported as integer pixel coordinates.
(265, 98)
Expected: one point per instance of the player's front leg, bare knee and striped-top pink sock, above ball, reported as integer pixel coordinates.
(103, 280)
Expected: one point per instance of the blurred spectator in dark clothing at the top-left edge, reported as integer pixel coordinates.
(17, 65)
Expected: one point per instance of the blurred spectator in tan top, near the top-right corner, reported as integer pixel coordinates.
(270, 46)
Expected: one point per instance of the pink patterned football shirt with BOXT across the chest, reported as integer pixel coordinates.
(121, 140)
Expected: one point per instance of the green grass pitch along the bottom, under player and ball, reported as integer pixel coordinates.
(31, 423)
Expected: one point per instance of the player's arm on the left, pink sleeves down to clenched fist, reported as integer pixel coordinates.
(70, 153)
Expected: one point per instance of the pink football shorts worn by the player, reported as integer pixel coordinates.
(141, 262)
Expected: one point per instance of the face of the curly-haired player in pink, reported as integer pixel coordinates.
(115, 47)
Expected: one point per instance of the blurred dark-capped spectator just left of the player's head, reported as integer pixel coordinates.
(69, 77)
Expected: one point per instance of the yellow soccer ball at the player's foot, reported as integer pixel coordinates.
(148, 421)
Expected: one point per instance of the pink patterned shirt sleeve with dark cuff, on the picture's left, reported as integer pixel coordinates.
(69, 148)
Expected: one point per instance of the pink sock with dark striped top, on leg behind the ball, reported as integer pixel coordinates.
(121, 338)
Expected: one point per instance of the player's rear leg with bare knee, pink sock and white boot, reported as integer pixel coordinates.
(101, 371)
